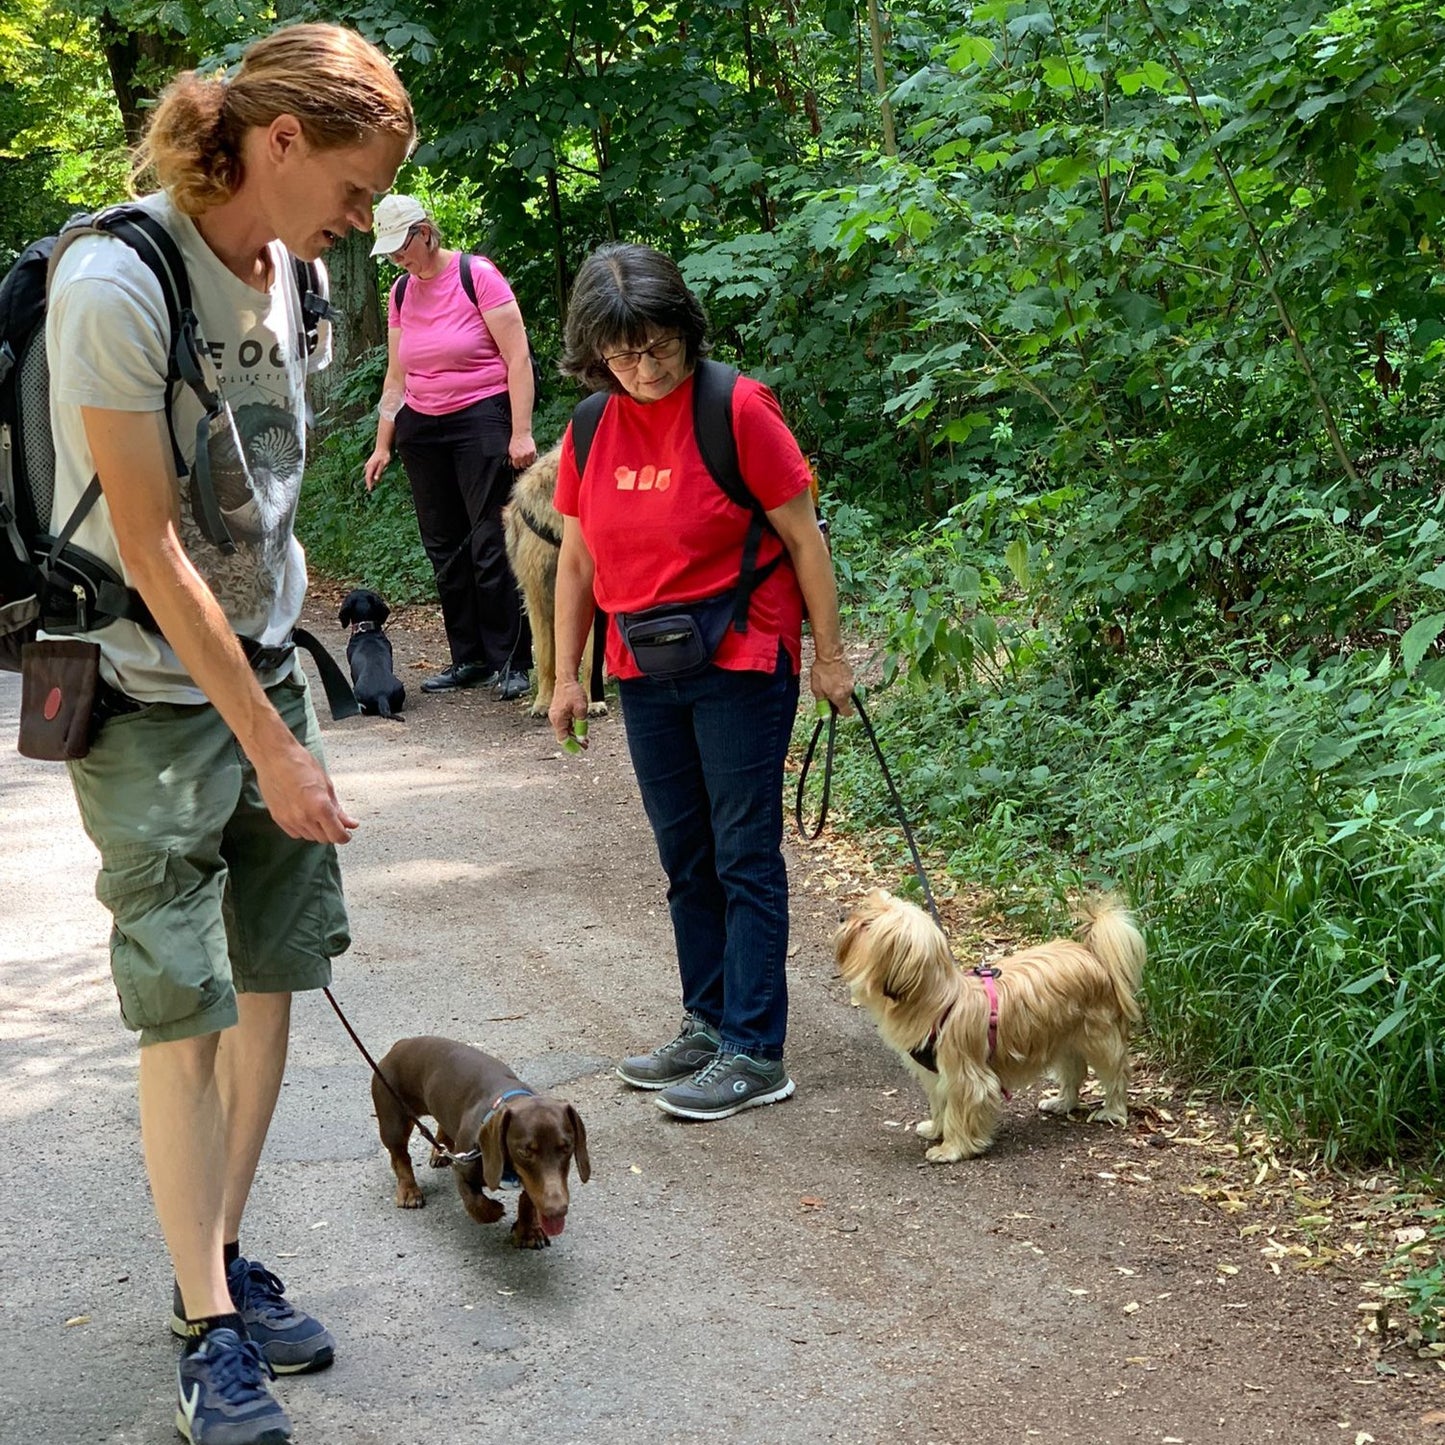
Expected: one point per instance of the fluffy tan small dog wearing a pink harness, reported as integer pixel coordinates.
(1060, 1009)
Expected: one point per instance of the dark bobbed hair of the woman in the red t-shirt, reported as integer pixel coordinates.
(624, 296)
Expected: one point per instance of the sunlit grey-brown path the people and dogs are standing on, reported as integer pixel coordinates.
(794, 1275)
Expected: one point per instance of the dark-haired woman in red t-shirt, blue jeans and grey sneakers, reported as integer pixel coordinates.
(648, 525)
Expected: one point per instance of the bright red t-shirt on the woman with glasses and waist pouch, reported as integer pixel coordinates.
(663, 531)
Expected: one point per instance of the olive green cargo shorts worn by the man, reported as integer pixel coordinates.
(207, 895)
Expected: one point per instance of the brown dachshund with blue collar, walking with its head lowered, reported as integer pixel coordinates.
(482, 1106)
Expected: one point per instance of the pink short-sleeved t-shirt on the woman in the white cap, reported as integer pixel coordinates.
(447, 352)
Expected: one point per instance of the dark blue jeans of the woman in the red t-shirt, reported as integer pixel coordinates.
(709, 754)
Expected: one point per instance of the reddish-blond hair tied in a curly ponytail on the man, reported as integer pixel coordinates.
(339, 86)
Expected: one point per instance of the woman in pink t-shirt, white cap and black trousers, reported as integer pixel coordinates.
(457, 404)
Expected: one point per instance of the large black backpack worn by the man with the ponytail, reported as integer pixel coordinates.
(46, 580)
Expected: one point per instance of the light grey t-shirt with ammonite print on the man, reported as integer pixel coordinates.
(108, 339)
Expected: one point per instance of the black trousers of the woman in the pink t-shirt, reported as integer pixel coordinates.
(462, 479)
